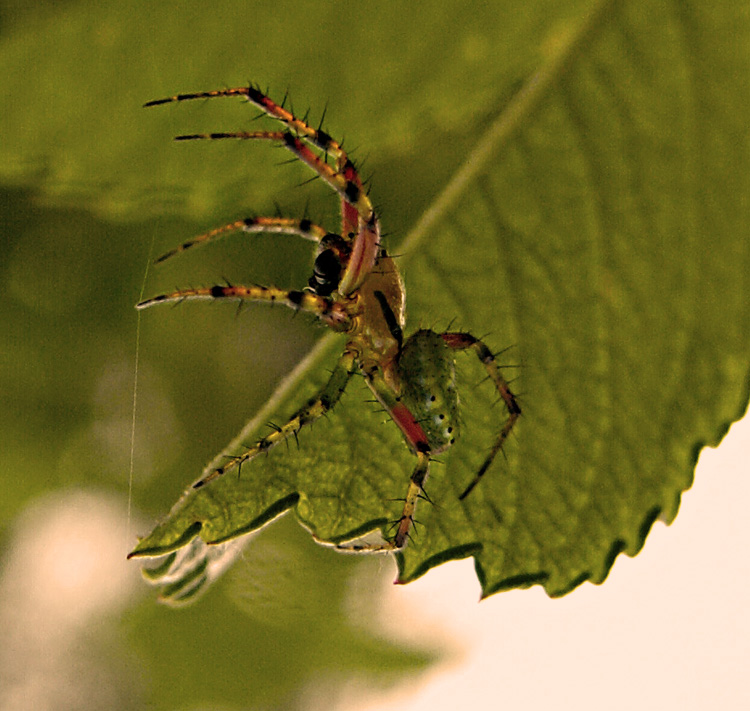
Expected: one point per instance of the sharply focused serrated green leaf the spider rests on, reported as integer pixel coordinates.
(599, 228)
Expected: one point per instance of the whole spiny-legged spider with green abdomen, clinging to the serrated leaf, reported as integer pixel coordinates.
(356, 289)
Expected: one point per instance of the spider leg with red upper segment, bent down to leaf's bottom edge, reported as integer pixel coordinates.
(417, 441)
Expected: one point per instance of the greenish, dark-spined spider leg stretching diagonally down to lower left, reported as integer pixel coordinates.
(313, 410)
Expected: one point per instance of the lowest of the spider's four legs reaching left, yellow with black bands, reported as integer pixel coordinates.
(332, 313)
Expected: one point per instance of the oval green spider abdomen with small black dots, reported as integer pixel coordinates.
(427, 372)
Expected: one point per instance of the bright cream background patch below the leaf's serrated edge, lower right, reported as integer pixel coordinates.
(669, 629)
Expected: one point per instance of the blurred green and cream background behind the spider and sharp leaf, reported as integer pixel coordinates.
(290, 625)
